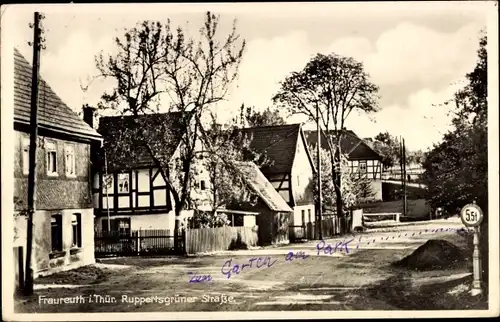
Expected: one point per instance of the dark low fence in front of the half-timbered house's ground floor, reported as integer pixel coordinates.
(137, 242)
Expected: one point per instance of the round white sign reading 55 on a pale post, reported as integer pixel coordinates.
(472, 216)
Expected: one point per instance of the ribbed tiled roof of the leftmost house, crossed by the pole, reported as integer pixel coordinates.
(53, 113)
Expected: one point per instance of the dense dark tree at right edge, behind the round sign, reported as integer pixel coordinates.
(456, 170)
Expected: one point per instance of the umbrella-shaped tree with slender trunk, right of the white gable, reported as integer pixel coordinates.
(327, 90)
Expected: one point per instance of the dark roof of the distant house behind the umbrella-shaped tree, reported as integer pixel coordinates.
(350, 144)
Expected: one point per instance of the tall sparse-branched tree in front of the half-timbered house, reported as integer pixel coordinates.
(156, 65)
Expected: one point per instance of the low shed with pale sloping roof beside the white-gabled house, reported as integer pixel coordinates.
(274, 213)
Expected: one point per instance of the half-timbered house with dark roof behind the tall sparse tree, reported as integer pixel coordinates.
(130, 189)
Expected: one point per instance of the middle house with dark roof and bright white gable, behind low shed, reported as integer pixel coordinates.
(288, 167)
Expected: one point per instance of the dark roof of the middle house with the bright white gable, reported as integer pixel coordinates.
(277, 143)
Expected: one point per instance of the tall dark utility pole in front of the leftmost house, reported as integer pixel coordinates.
(37, 45)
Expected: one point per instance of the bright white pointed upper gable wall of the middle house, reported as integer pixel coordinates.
(302, 174)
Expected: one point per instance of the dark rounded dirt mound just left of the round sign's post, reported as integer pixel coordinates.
(433, 255)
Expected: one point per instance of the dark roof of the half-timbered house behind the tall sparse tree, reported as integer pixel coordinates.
(123, 152)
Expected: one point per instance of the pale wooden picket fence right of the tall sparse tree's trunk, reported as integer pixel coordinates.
(222, 238)
